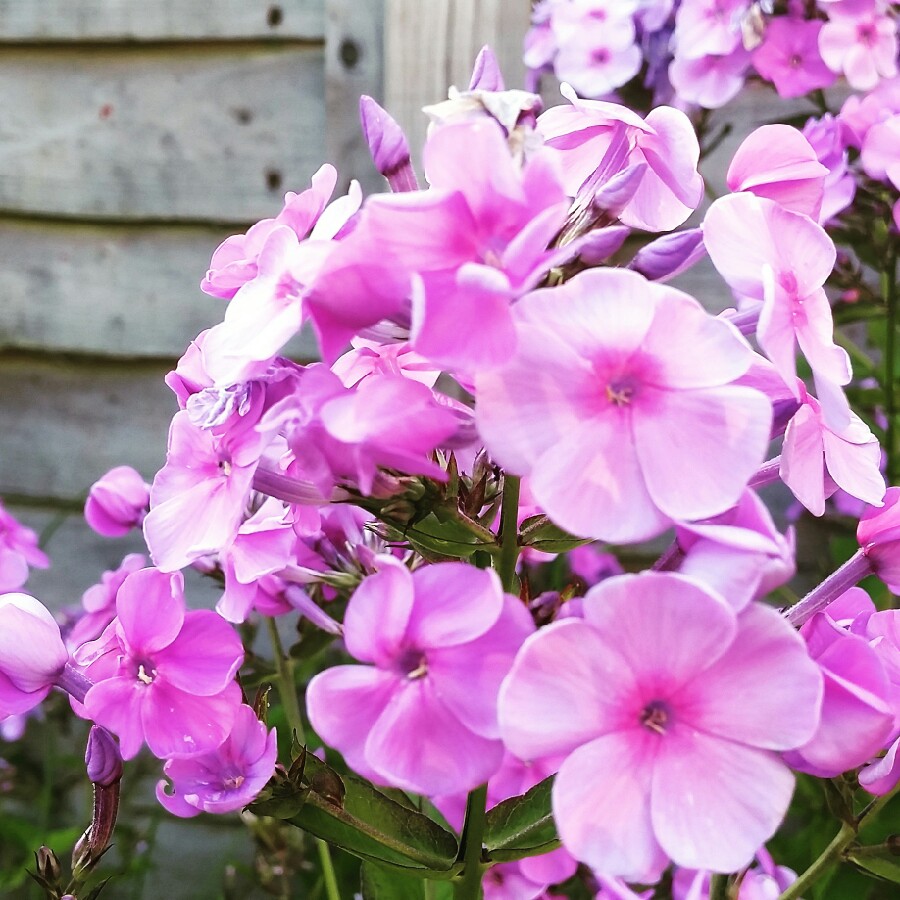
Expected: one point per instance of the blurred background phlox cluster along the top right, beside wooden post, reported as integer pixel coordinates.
(701, 52)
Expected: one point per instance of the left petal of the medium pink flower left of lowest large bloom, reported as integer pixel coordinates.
(343, 704)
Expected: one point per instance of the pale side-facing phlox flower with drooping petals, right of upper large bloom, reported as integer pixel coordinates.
(782, 258)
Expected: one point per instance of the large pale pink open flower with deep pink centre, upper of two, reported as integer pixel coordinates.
(610, 365)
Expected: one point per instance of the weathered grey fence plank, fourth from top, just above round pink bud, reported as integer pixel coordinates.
(64, 425)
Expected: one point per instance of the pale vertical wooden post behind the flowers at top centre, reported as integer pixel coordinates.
(429, 46)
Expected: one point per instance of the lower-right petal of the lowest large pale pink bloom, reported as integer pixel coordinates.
(743, 793)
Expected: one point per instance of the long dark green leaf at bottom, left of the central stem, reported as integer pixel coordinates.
(372, 826)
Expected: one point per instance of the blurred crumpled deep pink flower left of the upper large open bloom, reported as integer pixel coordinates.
(339, 434)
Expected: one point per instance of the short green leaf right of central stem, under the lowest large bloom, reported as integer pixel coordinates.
(522, 826)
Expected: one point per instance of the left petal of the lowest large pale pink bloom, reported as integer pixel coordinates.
(565, 688)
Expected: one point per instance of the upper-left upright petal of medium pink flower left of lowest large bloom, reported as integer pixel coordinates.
(378, 614)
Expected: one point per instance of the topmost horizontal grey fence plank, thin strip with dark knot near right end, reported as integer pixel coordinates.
(151, 20)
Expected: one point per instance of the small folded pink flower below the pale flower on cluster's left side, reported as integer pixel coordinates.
(263, 545)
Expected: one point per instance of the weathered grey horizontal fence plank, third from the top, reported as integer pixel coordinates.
(118, 292)
